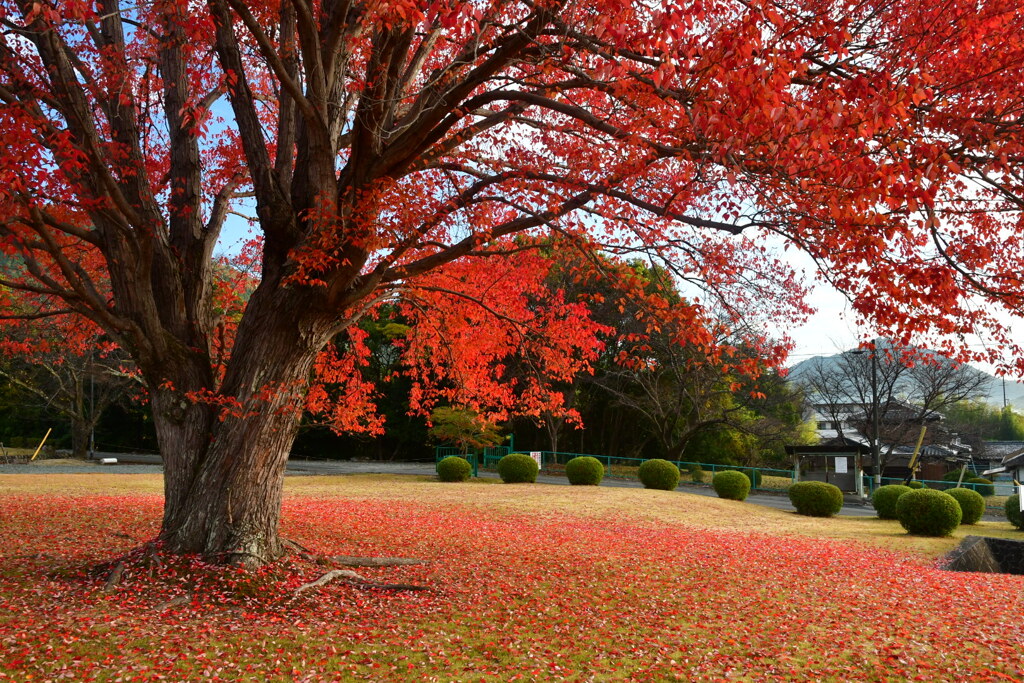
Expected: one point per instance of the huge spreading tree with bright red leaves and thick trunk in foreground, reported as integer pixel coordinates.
(385, 143)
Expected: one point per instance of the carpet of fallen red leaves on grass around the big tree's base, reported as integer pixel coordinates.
(516, 597)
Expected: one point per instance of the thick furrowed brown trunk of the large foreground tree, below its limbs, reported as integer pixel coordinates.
(225, 460)
